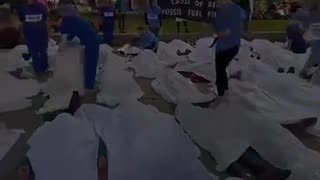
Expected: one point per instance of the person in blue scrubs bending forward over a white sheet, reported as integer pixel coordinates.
(74, 26)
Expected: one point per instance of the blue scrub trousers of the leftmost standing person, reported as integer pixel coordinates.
(39, 56)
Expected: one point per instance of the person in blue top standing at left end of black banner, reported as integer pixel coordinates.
(153, 17)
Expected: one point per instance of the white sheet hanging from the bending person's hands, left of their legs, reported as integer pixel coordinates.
(68, 77)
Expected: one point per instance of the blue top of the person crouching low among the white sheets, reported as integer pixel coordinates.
(147, 41)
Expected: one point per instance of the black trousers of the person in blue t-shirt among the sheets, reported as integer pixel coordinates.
(223, 59)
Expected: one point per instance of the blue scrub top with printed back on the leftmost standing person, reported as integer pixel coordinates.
(34, 18)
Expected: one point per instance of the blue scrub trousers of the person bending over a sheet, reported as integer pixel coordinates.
(90, 64)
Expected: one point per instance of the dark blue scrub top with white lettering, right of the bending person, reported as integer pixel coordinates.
(108, 13)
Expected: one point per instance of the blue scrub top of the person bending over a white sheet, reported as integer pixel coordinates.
(77, 27)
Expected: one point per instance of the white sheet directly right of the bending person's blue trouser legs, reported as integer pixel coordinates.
(117, 83)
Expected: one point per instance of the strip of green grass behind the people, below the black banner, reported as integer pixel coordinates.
(169, 25)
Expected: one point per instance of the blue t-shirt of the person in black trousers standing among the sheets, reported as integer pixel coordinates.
(229, 18)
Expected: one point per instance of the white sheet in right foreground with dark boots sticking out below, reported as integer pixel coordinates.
(232, 127)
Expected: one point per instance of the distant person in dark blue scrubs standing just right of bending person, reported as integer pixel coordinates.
(108, 14)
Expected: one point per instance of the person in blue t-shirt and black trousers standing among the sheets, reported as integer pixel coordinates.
(228, 26)
